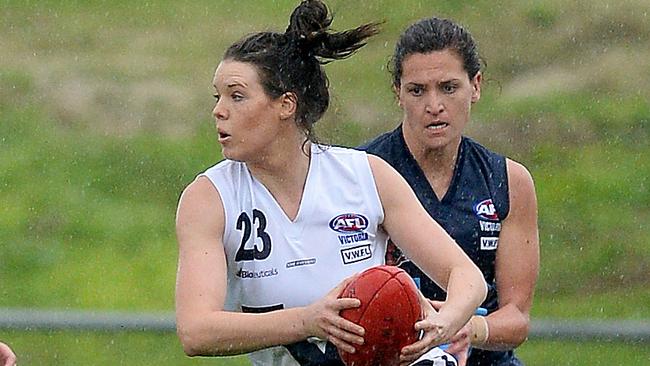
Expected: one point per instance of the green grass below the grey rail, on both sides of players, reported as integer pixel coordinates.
(108, 349)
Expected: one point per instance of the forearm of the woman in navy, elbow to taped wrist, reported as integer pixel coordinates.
(507, 328)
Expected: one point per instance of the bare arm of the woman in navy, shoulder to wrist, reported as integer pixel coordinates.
(517, 264)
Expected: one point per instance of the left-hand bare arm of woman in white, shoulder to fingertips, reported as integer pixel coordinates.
(203, 326)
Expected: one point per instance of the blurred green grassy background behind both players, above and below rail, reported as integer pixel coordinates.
(105, 117)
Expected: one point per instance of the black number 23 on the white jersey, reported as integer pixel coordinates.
(244, 223)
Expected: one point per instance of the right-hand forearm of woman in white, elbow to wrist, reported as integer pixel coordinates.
(466, 290)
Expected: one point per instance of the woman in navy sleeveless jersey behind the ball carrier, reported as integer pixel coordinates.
(485, 201)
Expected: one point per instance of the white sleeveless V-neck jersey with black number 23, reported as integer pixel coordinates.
(276, 263)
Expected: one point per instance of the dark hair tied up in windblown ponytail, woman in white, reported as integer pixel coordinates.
(292, 61)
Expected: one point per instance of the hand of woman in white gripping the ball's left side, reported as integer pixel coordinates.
(322, 319)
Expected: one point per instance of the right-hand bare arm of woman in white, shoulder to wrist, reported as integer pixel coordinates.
(429, 246)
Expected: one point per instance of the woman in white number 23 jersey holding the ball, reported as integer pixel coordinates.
(269, 236)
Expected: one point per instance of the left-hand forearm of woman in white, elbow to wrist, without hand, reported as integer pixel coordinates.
(224, 333)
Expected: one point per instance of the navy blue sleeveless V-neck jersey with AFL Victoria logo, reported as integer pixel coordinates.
(471, 211)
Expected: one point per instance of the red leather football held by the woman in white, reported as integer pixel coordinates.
(389, 308)
